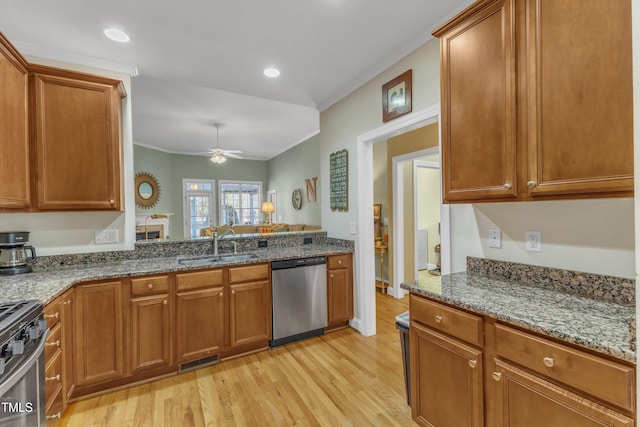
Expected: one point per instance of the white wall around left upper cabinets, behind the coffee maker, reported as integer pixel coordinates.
(55, 233)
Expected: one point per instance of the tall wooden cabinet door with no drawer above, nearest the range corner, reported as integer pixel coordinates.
(99, 343)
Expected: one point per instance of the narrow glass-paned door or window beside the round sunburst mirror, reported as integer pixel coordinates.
(199, 211)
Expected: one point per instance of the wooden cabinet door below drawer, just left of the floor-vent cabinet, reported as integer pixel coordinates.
(150, 332)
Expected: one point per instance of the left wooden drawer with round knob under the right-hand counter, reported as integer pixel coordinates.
(457, 323)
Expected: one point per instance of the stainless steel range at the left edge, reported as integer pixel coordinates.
(23, 332)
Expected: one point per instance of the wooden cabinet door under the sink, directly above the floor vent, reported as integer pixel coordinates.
(200, 323)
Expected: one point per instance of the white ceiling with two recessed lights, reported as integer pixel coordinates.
(200, 62)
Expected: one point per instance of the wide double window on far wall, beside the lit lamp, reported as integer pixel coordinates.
(240, 202)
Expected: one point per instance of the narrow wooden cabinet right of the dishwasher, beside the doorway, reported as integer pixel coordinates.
(339, 290)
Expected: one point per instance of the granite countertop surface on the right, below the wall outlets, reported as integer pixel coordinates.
(605, 327)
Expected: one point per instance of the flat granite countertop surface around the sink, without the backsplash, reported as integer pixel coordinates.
(45, 285)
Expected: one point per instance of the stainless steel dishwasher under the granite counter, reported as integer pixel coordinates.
(299, 288)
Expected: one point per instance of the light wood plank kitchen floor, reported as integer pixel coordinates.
(340, 379)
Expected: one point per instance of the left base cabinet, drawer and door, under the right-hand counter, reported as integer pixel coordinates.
(446, 370)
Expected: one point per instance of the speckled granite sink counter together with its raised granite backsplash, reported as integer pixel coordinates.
(45, 284)
